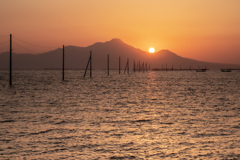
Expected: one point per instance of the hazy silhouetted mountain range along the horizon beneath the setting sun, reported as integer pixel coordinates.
(77, 58)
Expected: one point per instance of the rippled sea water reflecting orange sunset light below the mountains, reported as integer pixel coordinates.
(146, 115)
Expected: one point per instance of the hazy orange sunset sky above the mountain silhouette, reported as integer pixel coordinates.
(207, 30)
